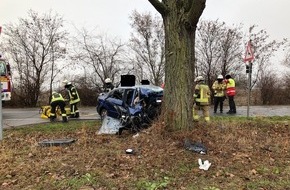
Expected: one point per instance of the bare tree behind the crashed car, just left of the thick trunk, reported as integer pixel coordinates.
(147, 43)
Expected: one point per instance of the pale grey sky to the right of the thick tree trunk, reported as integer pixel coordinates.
(267, 14)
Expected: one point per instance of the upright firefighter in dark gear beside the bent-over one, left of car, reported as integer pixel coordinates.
(74, 99)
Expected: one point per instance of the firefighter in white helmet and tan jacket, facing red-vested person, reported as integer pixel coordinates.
(219, 87)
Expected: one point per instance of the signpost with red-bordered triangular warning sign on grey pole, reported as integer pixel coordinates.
(249, 57)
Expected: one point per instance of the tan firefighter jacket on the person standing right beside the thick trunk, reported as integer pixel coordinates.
(202, 94)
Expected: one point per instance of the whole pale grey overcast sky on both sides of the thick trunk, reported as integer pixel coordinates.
(111, 16)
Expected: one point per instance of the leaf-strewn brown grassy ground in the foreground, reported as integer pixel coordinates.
(244, 155)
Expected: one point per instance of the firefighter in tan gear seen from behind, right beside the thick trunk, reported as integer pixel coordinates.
(201, 99)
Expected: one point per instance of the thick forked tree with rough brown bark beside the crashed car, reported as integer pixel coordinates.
(180, 20)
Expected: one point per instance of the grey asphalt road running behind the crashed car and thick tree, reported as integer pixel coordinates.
(27, 116)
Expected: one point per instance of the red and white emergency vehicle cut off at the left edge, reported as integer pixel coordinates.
(6, 80)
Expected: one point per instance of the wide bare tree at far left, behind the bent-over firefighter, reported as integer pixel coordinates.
(35, 45)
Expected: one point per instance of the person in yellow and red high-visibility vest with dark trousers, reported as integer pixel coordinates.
(231, 92)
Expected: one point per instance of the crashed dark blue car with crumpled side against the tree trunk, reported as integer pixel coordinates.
(135, 106)
